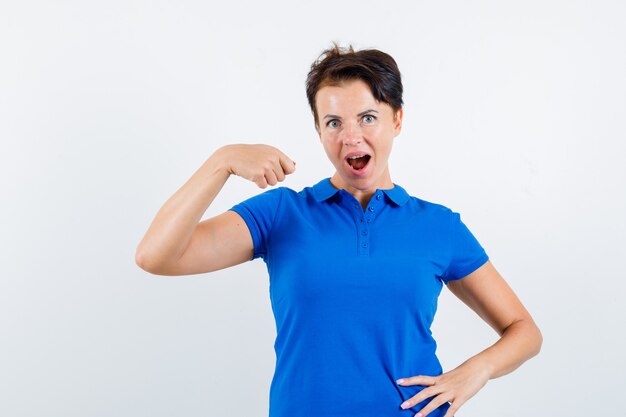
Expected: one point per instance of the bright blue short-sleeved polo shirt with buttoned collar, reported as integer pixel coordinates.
(354, 293)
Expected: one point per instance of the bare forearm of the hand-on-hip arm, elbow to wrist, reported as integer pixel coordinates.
(519, 342)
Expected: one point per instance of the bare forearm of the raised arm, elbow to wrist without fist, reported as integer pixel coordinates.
(172, 228)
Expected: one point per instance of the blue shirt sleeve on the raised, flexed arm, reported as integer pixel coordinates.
(259, 212)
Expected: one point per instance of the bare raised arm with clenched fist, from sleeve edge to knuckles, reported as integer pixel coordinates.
(177, 243)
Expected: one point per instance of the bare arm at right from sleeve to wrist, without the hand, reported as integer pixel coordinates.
(488, 294)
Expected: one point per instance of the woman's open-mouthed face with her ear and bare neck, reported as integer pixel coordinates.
(357, 133)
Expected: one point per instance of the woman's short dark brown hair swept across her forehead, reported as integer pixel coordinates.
(376, 68)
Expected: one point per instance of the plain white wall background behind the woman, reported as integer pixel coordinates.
(515, 117)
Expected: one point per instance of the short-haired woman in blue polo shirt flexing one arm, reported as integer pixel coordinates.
(356, 264)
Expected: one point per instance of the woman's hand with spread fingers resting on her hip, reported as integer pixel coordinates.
(456, 386)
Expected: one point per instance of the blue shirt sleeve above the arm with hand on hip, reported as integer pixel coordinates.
(466, 253)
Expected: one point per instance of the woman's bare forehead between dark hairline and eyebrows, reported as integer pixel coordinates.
(347, 94)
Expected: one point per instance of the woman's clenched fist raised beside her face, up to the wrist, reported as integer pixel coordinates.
(262, 164)
